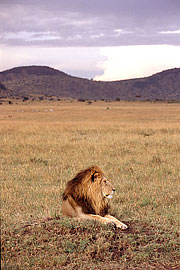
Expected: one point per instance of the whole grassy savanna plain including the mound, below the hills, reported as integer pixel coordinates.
(44, 144)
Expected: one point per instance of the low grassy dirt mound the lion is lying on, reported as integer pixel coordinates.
(65, 244)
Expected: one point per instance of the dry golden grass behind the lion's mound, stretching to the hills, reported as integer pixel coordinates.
(137, 145)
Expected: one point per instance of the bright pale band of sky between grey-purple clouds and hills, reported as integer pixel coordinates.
(100, 63)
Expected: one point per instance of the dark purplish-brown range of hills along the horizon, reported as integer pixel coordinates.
(46, 81)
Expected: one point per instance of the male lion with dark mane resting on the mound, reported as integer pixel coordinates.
(86, 196)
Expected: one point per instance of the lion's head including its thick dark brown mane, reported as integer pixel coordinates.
(91, 190)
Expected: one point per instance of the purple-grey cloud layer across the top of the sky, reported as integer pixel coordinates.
(89, 23)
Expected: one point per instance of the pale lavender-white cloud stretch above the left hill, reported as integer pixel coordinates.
(81, 62)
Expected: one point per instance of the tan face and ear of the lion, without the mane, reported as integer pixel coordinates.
(107, 188)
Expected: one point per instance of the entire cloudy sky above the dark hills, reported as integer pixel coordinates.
(94, 39)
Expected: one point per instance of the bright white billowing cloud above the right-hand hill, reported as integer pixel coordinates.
(128, 62)
